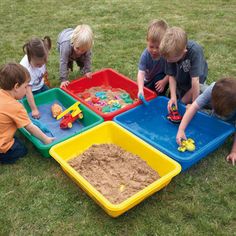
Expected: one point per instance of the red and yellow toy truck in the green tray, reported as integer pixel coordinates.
(70, 115)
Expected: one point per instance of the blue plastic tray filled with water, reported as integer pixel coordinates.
(150, 124)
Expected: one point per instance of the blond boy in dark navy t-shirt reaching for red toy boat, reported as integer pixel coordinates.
(186, 66)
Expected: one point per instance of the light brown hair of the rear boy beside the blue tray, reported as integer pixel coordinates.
(156, 30)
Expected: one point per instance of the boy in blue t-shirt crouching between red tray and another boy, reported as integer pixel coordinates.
(151, 73)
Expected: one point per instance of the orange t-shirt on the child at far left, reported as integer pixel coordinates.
(12, 117)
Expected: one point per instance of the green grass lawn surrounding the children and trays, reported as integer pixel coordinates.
(37, 198)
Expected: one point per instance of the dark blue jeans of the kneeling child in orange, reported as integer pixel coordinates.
(17, 151)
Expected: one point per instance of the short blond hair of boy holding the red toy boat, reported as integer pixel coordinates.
(173, 43)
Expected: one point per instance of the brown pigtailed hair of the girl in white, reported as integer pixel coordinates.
(37, 48)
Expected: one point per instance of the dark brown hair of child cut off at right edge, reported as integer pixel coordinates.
(223, 97)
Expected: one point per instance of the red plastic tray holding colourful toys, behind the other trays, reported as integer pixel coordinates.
(107, 79)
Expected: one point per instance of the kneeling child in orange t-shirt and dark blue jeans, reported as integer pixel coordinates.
(14, 80)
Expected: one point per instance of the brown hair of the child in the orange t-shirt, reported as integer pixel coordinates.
(12, 74)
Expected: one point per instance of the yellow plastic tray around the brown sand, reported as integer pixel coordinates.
(111, 133)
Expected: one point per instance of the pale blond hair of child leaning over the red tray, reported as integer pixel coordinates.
(82, 36)
